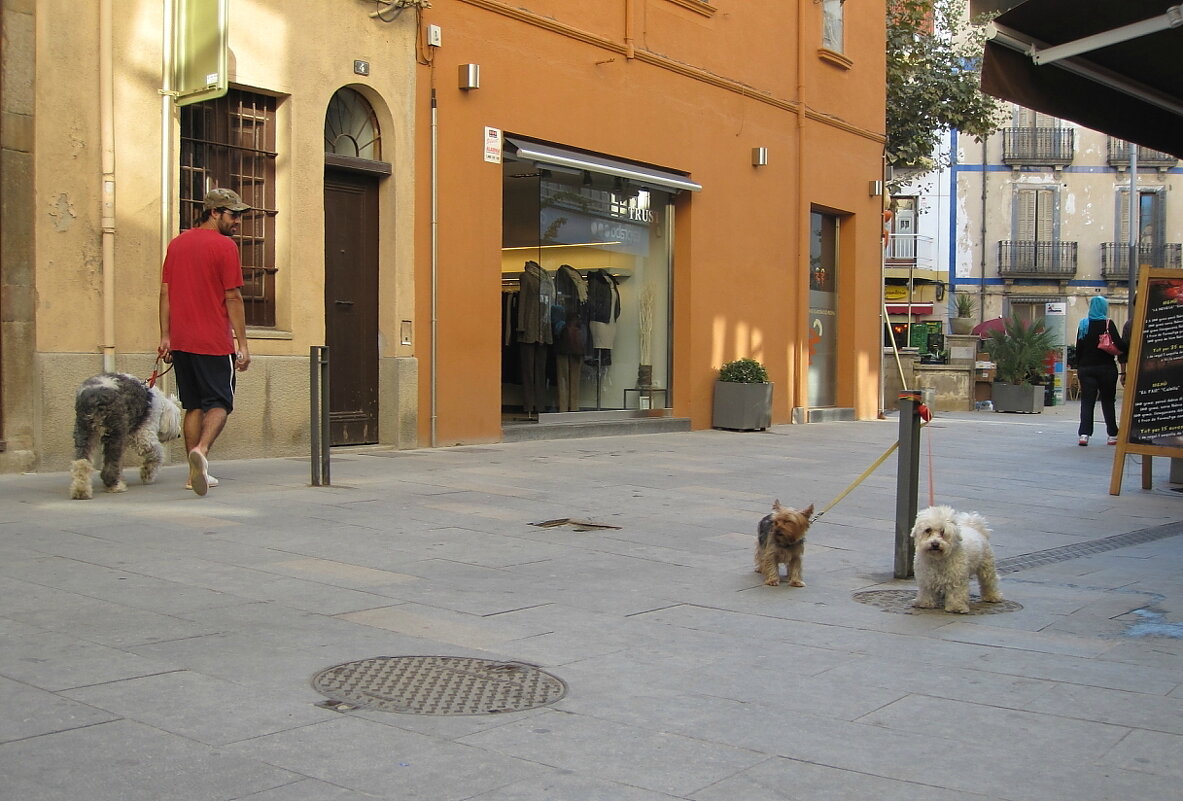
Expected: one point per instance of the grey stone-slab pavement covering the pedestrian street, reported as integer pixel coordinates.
(160, 647)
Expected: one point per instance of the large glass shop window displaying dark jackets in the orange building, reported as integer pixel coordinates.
(586, 288)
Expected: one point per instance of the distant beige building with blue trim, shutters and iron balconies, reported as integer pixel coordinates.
(1043, 216)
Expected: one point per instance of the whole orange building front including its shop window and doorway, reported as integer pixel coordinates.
(677, 157)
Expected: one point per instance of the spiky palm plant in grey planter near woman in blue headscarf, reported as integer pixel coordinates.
(1019, 353)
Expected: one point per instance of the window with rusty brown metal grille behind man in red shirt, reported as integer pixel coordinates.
(230, 143)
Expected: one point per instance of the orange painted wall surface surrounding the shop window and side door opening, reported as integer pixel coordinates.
(688, 87)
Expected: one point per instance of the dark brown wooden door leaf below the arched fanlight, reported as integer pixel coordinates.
(351, 306)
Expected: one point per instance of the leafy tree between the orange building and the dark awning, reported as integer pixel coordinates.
(934, 76)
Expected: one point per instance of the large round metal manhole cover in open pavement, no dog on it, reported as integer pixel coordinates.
(439, 686)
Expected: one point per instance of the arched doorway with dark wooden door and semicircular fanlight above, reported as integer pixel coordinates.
(353, 171)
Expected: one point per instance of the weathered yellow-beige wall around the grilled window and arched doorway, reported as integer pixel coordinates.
(54, 318)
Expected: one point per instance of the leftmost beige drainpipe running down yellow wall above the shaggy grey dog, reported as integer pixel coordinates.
(107, 146)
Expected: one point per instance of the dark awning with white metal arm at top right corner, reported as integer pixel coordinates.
(1111, 66)
